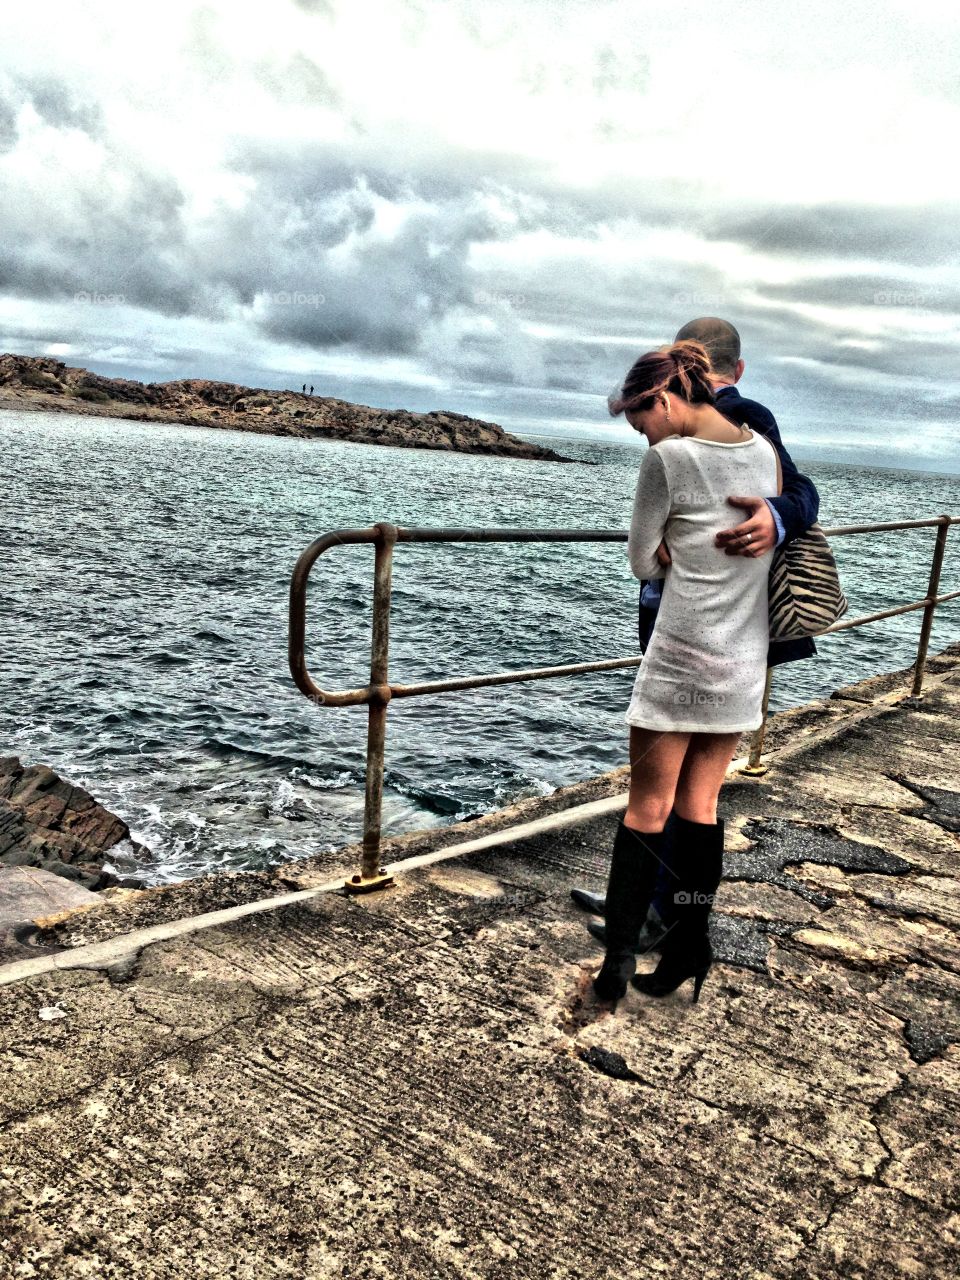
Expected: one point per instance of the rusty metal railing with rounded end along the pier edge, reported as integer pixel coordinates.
(381, 691)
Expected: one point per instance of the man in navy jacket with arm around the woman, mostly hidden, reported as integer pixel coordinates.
(770, 523)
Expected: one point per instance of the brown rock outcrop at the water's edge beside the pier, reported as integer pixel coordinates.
(58, 828)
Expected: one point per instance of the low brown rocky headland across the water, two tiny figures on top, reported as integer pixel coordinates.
(49, 386)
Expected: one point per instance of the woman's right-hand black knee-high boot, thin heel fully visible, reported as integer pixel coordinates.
(687, 950)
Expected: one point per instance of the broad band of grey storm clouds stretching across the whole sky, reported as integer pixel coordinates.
(310, 258)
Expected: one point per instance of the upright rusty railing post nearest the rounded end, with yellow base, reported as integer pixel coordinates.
(372, 875)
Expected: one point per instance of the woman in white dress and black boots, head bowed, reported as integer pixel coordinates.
(702, 679)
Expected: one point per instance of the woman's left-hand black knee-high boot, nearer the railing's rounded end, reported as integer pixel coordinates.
(634, 865)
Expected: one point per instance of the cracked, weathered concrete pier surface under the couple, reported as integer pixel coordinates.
(419, 1085)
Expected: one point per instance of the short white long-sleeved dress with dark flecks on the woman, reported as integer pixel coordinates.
(706, 666)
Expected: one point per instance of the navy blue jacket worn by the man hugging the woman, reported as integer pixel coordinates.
(798, 508)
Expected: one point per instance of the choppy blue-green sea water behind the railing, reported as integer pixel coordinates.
(144, 624)
